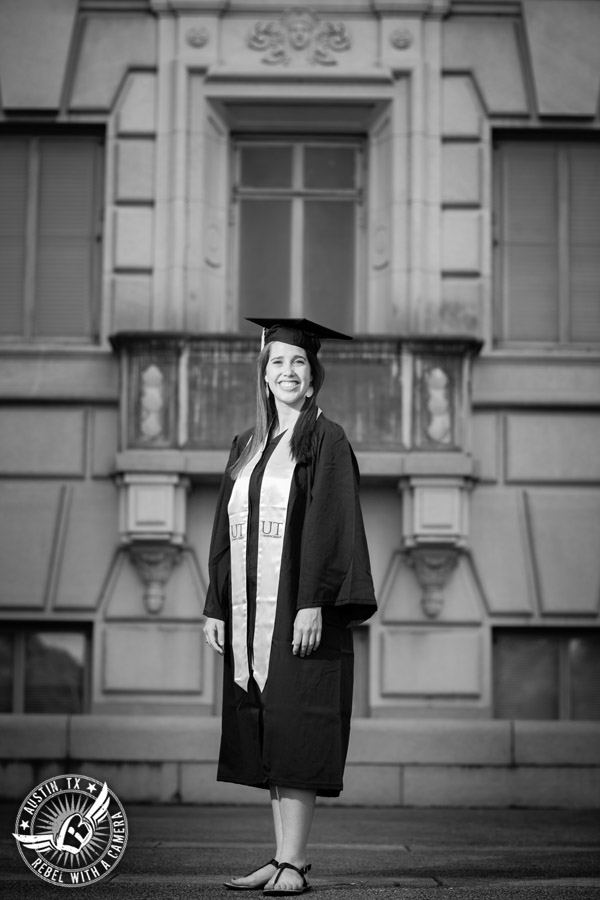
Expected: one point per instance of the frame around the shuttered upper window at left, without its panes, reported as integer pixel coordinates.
(35, 134)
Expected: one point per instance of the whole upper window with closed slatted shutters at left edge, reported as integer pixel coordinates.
(50, 228)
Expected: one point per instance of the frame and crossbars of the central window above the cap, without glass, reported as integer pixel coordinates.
(297, 195)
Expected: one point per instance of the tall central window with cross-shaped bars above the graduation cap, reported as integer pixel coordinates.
(297, 218)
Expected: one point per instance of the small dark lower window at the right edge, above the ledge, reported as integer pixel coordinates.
(546, 674)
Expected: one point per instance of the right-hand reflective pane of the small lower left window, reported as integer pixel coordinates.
(54, 672)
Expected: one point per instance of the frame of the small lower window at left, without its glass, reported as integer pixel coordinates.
(19, 631)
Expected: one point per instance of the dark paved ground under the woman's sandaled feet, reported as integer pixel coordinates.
(181, 852)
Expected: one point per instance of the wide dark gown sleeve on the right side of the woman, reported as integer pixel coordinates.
(335, 569)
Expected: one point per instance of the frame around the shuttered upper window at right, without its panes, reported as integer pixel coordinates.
(563, 138)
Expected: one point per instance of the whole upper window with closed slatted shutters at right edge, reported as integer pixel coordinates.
(547, 240)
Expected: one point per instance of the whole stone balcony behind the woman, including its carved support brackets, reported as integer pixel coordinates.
(403, 402)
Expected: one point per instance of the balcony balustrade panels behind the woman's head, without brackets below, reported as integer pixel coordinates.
(192, 393)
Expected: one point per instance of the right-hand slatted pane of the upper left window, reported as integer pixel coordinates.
(64, 275)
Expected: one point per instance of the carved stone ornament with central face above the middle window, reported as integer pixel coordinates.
(297, 31)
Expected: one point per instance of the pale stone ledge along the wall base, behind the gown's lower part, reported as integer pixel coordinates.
(156, 739)
